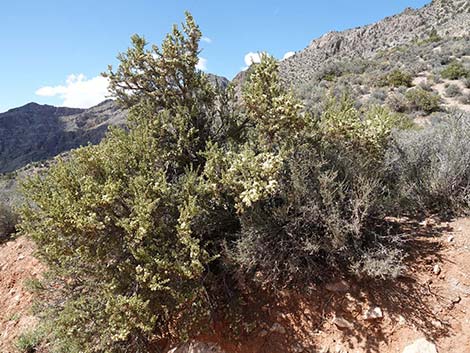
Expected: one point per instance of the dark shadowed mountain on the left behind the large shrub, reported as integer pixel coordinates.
(37, 132)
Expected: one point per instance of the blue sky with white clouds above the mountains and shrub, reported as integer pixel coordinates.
(54, 50)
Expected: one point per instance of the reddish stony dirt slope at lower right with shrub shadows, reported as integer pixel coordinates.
(431, 301)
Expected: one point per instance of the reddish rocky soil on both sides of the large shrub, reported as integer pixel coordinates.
(429, 307)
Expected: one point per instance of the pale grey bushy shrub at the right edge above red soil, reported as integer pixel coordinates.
(430, 168)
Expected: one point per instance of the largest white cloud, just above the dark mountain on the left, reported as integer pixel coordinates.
(78, 92)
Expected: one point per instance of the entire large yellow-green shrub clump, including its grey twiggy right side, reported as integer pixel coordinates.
(138, 231)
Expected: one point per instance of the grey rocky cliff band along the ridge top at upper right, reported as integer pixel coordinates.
(447, 17)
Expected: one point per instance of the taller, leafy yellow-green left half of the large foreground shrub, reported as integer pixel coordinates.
(129, 227)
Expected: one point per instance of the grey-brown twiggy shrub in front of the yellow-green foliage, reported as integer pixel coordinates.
(313, 225)
